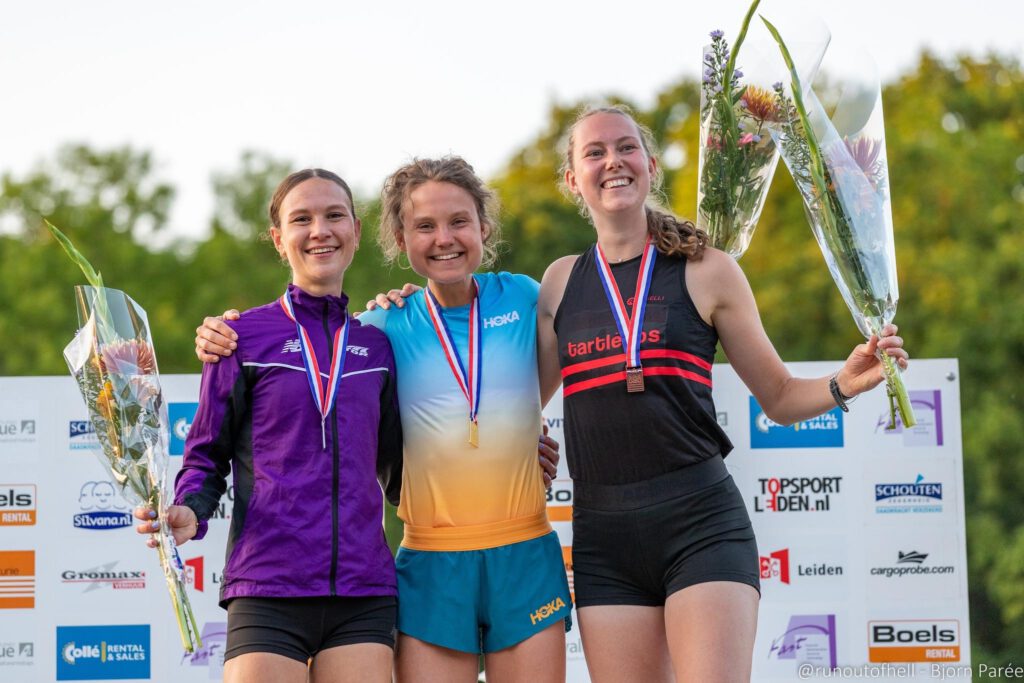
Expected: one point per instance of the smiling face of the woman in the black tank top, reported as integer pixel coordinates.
(611, 170)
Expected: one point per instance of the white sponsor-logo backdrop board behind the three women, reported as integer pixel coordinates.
(861, 532)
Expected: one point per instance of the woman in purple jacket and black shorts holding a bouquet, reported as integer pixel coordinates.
(306, 415)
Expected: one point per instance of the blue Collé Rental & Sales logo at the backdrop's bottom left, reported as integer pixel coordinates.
(103, 653)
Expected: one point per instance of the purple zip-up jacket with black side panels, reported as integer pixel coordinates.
(307, 521)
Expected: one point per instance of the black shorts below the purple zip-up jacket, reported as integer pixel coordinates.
(300, 628)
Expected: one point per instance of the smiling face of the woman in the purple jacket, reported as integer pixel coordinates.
(319, 235)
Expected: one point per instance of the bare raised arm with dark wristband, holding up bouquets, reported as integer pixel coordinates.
(723, 297)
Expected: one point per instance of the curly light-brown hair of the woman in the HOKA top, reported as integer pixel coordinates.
(451, 169)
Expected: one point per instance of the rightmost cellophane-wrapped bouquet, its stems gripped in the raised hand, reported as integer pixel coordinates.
(842, 173)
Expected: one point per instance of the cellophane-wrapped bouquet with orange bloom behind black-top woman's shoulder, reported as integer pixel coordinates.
(738, 156)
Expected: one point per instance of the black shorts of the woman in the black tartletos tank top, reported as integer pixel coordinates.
(637, 544)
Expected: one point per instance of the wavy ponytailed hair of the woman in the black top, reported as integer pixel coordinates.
(673, 236)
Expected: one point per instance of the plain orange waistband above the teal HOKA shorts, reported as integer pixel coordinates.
(478, 537)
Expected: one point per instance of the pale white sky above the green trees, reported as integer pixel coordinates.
(361, 89)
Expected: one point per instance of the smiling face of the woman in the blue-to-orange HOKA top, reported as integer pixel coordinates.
(442, 233)
